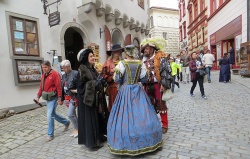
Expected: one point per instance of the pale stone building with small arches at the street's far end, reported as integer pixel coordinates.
(164, 22)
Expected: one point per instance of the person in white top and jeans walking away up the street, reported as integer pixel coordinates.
(208, 60)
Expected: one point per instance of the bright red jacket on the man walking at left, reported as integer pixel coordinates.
(52, 83)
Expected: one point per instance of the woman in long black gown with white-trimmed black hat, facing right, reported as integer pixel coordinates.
(92, 110)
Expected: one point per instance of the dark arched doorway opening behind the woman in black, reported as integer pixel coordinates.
(73, 43)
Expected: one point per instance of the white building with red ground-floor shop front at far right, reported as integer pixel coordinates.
(227, 28)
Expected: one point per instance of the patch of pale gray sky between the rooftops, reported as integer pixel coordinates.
(164, 3)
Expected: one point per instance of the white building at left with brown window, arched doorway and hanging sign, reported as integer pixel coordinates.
(31, 36)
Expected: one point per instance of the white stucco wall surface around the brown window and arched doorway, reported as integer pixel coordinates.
(49, 38)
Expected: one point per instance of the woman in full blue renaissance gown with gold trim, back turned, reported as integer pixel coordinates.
(133, 126)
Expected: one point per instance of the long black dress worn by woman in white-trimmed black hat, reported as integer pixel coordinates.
(92, 121)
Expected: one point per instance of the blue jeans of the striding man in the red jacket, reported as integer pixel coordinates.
(51, 115)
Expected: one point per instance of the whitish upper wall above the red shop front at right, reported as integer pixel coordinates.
(232, 10)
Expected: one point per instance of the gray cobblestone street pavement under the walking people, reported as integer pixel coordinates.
(214, 128)
